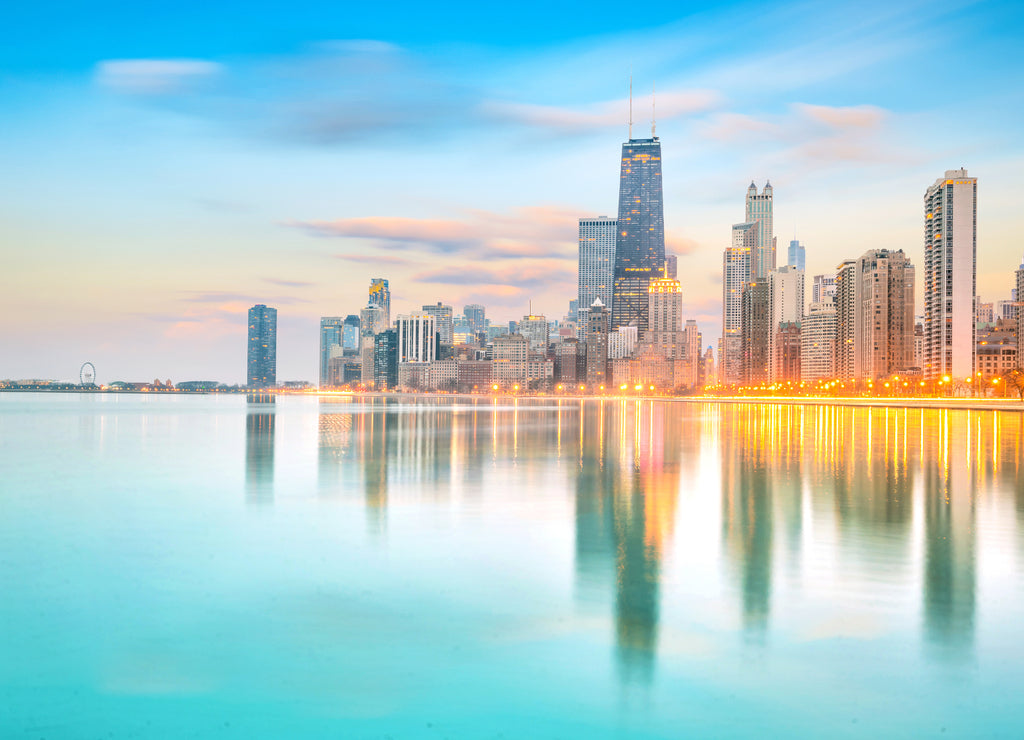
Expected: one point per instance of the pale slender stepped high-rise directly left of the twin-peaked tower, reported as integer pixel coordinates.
(736, 275)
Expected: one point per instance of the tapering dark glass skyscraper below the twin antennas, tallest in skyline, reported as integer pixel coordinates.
(641, 239)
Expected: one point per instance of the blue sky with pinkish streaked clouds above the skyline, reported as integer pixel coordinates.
(165, 167)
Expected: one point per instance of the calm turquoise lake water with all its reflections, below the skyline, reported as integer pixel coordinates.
(203, 567)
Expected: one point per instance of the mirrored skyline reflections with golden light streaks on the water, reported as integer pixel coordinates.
(845, 506)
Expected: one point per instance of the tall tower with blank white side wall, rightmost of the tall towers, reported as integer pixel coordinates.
(951, 275)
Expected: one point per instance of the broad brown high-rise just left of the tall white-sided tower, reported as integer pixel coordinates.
(884, 343)
